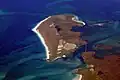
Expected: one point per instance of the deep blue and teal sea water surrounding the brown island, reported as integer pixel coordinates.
(22, 55)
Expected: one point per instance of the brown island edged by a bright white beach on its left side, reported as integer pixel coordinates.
(57, 37)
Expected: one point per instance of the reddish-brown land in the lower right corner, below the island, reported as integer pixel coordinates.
(100, 69)
